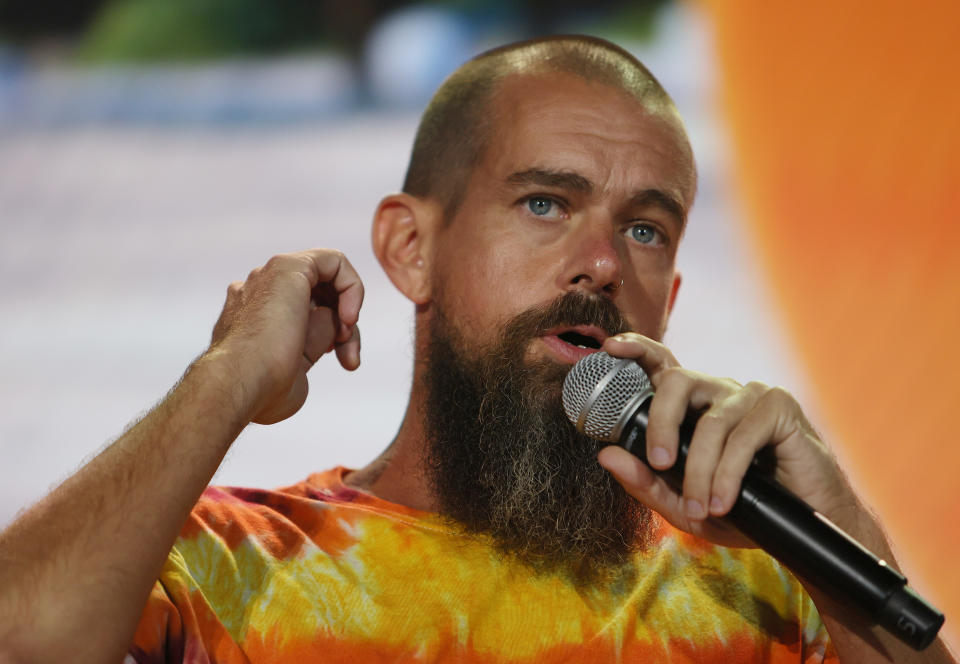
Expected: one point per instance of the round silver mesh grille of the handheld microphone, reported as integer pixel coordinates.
(585, 378)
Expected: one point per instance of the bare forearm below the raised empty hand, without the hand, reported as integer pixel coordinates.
(77, 568)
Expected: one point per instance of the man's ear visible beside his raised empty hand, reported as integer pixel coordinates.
(403, 228)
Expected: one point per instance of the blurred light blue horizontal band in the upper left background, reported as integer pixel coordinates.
(241, 91)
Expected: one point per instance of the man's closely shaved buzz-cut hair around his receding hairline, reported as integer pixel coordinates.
(459, 121)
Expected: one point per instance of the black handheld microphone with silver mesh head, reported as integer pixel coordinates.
(608, 399)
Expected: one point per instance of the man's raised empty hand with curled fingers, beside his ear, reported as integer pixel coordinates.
(275, 325)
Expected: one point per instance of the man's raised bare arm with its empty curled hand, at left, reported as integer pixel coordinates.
(79, 565)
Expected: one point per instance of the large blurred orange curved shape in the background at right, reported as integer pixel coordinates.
(846, 124)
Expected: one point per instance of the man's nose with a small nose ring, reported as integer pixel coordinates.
(593, 263)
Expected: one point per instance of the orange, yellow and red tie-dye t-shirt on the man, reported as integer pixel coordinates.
(320, 572)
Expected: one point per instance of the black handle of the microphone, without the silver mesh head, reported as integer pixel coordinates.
(808, 543)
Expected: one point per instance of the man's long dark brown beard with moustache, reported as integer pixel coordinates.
(505, 461)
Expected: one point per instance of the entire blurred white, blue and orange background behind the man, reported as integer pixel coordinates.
(153, 151)
